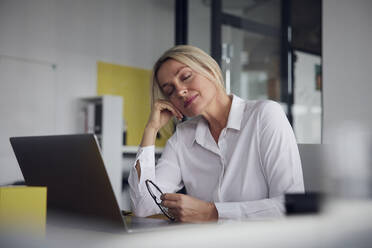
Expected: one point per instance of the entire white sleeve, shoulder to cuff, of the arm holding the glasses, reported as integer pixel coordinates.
(280, 163)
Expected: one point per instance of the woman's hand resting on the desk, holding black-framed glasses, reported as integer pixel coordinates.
(189, 209)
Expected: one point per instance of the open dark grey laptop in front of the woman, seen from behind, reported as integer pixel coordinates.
(72, 169)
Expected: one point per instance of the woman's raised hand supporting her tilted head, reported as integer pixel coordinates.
(161, 112)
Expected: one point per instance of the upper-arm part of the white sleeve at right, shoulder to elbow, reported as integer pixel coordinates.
(279, 152)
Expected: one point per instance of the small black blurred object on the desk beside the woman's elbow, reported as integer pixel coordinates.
(308, 203)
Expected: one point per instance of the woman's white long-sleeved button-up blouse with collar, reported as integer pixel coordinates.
(246, 175)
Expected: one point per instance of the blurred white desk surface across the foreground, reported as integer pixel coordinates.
(342, 224)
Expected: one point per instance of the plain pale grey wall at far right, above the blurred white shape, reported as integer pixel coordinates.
(347, 65)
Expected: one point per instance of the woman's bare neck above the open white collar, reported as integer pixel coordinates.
(217, 113)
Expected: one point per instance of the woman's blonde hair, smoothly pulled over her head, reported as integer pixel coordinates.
(191, 56)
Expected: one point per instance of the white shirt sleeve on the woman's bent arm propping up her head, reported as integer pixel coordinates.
(166, 174)
